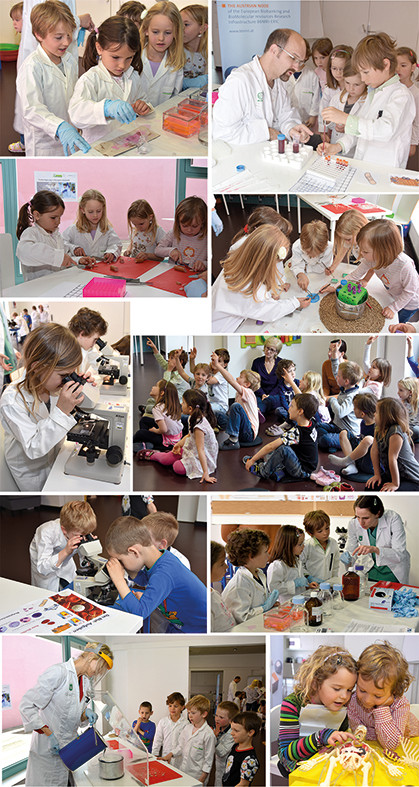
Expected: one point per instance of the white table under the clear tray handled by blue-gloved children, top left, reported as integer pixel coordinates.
(166, 144)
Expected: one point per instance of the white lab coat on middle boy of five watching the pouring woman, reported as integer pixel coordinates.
(197, 747)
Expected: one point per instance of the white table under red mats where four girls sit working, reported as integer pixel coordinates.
(63, 283)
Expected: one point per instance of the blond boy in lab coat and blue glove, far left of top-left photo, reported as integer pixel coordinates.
(45, 83)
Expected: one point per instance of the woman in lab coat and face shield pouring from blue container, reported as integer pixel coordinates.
(54, 709)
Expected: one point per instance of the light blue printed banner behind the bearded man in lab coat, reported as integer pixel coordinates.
(244, 27)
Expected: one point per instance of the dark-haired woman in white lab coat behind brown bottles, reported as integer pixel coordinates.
(381, 535)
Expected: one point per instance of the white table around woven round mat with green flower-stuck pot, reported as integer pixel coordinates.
(308, 320)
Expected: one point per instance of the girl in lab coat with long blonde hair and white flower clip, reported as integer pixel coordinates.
(251, 283)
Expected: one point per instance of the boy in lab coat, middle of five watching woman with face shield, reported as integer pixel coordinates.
(196, 742)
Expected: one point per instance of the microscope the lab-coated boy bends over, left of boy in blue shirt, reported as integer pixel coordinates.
(92, 579)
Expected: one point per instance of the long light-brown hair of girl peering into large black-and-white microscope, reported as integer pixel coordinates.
(47, 349)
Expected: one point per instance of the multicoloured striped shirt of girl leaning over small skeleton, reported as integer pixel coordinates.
(291, 747)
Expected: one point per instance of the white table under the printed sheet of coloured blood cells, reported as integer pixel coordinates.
(14, 594)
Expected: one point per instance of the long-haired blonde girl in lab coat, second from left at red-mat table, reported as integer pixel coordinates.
(92, 235)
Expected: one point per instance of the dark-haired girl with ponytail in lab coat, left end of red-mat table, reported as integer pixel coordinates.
(41, 248)
